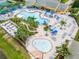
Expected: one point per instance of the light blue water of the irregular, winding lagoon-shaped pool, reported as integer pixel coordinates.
(40, 20)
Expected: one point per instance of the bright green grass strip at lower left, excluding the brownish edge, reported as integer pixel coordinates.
(9, 51)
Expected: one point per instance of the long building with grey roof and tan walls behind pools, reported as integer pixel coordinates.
(49, 4)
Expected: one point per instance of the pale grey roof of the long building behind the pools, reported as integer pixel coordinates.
(49, 3)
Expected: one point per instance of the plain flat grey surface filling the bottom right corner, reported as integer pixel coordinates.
(74, 49)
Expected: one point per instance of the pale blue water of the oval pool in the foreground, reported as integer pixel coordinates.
(42, 45)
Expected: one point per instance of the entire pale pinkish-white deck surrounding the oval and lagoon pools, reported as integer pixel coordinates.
(67, 32)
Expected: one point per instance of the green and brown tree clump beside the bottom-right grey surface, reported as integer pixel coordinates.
(63, 51)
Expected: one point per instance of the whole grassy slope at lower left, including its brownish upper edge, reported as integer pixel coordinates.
(10, 51)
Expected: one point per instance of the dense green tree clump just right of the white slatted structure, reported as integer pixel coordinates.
(22, 33)
